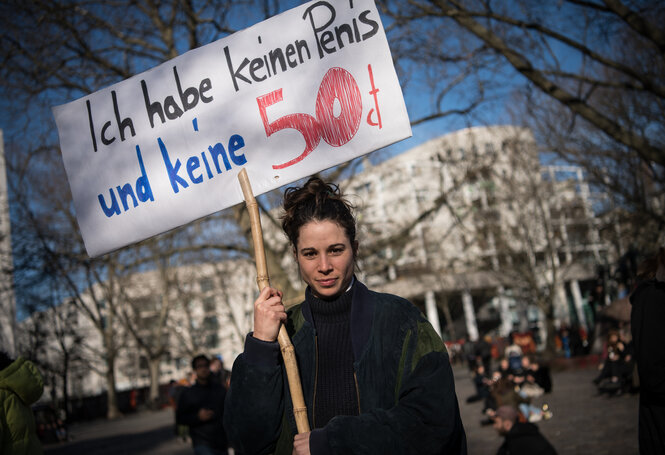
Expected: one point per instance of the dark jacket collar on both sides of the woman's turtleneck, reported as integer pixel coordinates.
(362, 312)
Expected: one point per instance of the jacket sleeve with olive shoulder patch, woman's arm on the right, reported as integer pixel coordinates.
(425, 418)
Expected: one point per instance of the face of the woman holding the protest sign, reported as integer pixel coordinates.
(325, 257)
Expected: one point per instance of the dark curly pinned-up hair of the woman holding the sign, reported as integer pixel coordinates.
(316, 200)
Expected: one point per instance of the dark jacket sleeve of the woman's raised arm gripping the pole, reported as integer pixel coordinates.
(254, 404)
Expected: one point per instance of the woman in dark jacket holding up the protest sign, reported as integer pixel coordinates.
(376, 377)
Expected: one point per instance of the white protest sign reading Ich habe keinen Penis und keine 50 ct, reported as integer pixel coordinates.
(300, 92)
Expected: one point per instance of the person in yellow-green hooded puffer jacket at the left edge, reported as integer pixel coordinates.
(21, 385)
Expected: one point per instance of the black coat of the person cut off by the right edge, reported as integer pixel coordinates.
(647, 327)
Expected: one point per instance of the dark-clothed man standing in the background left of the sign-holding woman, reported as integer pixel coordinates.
(201, 408)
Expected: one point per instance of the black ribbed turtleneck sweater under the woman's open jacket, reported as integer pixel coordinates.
(335, 392)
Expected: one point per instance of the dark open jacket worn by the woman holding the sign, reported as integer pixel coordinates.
(405, 386)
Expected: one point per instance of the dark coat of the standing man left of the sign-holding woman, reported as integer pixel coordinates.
(209, 433)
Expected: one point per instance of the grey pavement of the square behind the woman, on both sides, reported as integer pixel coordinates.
(582, 423)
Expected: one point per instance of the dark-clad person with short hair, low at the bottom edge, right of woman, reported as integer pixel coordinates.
(520, 438)
